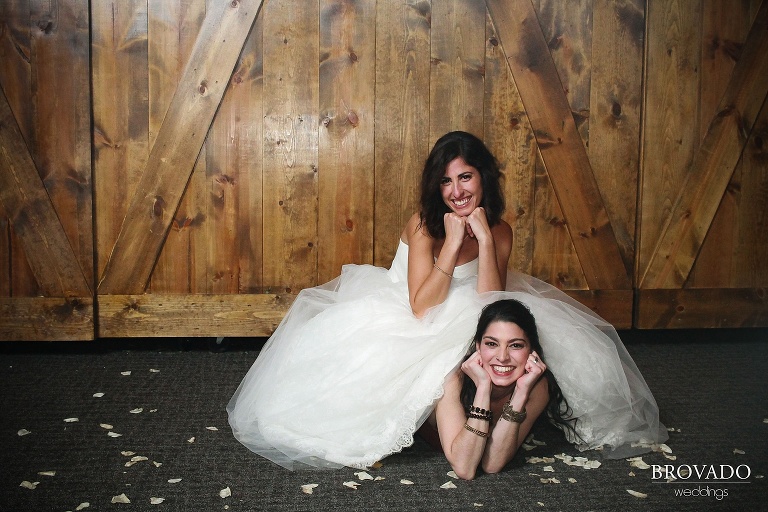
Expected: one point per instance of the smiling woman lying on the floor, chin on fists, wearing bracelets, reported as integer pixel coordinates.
(492, 401)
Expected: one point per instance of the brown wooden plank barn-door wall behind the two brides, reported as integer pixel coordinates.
(327, 112)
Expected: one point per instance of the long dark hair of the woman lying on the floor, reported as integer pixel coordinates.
(514, 311)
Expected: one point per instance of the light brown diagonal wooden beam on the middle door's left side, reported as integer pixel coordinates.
(177, 146)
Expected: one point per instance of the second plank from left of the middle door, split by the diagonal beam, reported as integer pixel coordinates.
(172, 27)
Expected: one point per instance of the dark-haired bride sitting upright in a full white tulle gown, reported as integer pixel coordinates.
(357, 364)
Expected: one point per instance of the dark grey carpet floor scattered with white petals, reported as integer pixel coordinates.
(710, 385)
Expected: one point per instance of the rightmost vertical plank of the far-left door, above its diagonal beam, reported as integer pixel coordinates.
(61, 102)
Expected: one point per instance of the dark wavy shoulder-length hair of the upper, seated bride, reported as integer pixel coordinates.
(475, 153)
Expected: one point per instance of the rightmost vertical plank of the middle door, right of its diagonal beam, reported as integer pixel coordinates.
(615, 100)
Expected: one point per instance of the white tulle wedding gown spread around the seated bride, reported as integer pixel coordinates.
(350, 374)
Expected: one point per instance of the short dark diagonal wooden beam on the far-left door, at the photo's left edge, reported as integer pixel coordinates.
(33, 217)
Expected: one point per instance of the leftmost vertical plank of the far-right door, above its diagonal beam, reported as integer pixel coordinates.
(671, 113)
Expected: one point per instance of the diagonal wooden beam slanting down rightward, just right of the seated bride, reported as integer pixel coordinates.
(559, 142)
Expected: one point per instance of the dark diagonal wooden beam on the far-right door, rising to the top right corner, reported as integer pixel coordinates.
(713, 164)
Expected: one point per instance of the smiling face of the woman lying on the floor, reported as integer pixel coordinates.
(504, 350)
